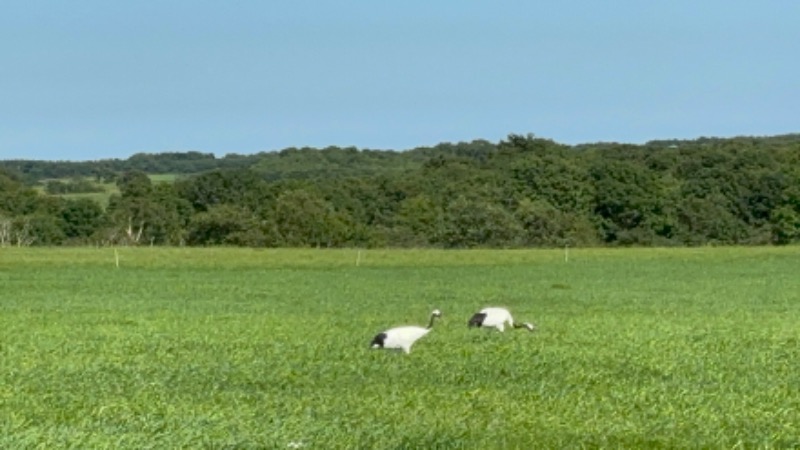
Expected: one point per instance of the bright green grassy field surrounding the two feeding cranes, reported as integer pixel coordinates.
(227, 348)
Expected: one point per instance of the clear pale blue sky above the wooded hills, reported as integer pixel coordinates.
(92, 79)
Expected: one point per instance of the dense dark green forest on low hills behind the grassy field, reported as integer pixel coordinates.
(524, 191)
